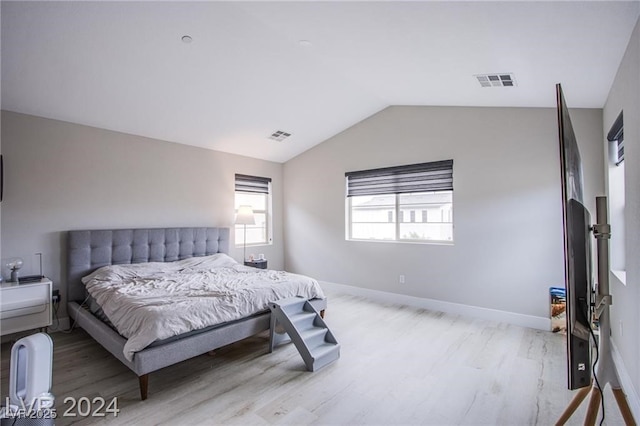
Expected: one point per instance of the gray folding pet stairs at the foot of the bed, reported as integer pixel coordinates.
(306, 329)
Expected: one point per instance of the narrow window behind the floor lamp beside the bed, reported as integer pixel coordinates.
(254, 191)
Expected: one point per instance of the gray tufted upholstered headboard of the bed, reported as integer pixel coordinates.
(89, 250)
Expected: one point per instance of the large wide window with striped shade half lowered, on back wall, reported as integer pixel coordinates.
(420, 196)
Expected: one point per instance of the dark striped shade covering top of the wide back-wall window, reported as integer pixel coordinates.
(424, 177)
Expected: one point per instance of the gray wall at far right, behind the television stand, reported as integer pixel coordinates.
(625, 95)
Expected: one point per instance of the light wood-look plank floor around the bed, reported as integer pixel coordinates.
(398, 365)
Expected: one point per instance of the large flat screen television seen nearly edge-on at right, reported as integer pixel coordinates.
(577, 253)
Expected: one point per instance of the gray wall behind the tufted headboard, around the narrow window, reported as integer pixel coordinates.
(61, 176)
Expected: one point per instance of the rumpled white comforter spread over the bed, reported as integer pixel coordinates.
(153, 301)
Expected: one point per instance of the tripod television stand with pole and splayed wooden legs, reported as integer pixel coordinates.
(606, 372)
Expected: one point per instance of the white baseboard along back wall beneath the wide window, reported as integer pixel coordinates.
(522, 320)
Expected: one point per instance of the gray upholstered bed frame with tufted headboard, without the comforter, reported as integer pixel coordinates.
(89, 250)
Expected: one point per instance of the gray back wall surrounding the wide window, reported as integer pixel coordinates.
(508, 246)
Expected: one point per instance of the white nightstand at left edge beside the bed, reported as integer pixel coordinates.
(25, 306)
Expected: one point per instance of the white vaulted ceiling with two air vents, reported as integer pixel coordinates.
(309, 69)
